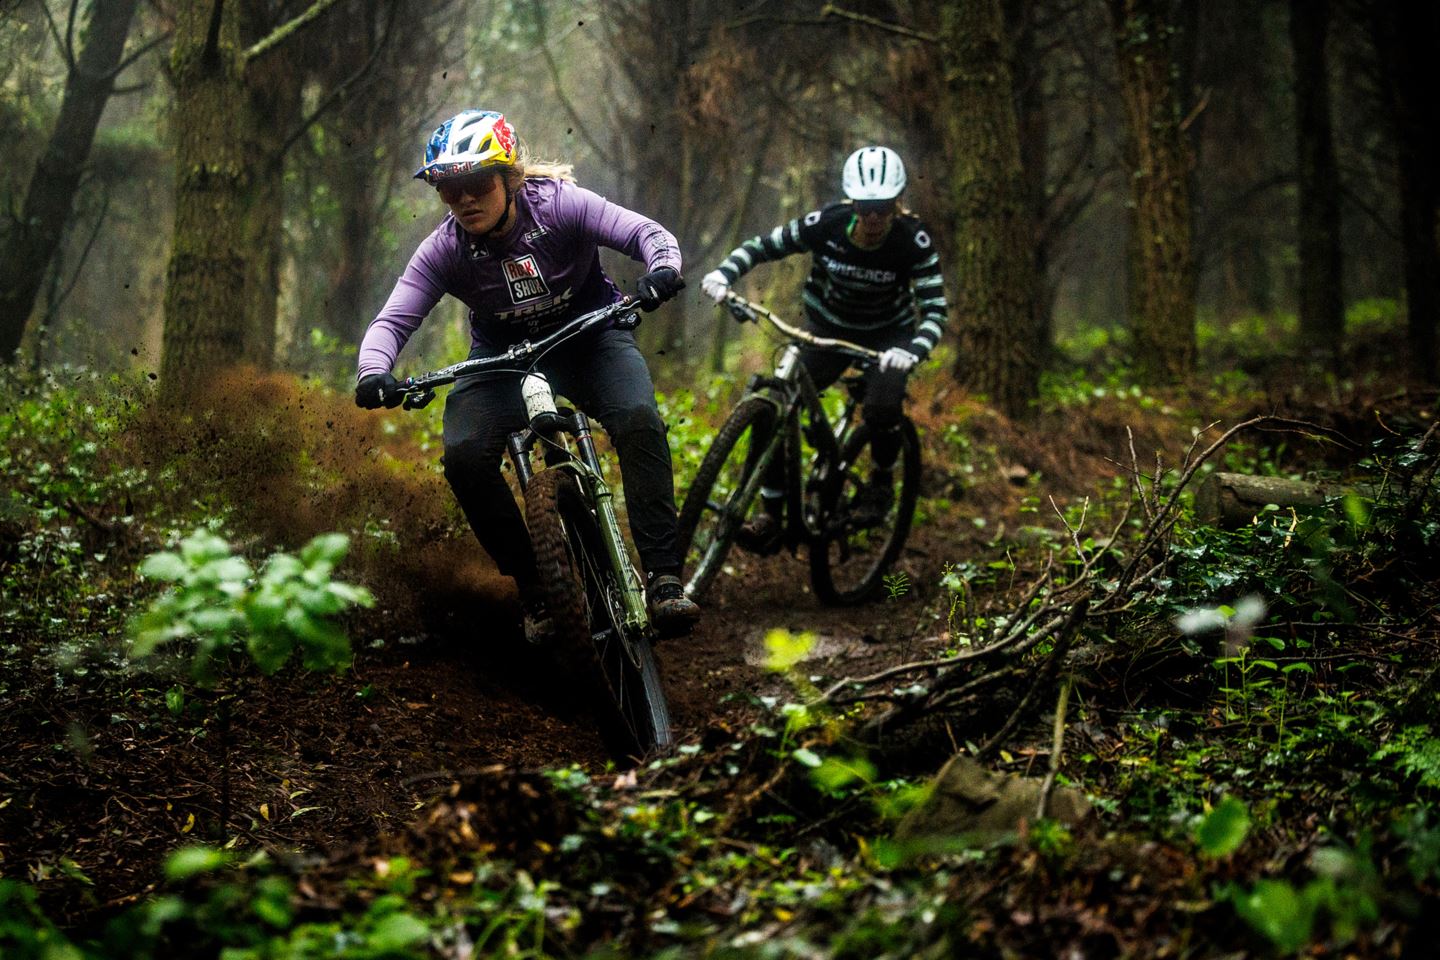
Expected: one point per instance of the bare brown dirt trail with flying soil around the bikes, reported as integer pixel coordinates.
(107, 776)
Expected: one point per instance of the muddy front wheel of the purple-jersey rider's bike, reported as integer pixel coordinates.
(584, 597)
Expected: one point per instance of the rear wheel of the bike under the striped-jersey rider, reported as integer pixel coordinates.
(853, 553)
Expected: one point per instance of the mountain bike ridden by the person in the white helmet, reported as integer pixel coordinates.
(826, 466)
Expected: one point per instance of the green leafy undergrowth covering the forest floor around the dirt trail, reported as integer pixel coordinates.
(1256, 730)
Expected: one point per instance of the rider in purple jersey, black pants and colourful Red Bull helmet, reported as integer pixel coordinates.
(521, 248)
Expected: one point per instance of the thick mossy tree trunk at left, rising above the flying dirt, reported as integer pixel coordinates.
(205, 289)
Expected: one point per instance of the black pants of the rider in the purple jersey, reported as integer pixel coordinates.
(604, 375)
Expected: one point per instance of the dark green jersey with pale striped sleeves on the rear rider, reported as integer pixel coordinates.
(896, 284)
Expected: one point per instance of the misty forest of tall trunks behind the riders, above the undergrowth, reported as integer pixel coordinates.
(195, 185)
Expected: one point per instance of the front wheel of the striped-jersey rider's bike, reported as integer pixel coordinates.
(719, 500)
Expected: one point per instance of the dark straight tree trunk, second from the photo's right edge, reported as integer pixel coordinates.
(1323, 306)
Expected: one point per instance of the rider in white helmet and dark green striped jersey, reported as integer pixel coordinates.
(875, 281)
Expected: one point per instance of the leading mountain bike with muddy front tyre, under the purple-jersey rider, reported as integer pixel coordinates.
(593, 591)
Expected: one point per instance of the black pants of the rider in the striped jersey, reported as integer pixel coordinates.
(883, 407)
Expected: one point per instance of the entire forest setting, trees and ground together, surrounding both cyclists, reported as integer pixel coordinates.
(1183, 241)
